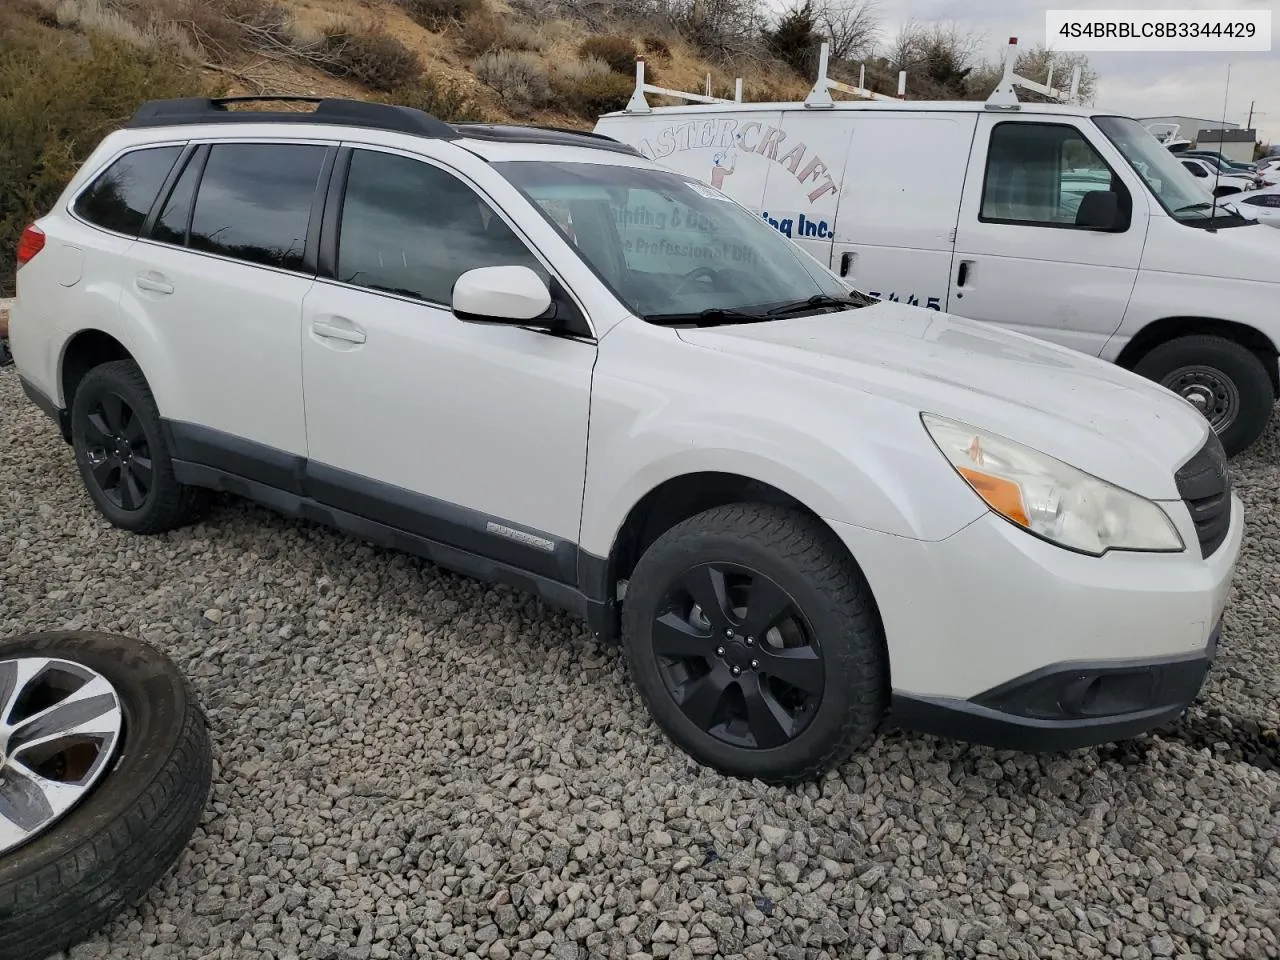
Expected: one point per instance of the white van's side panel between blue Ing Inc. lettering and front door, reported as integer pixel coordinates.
(899, 204)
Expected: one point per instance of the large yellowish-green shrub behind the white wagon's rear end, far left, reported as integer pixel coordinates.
(60, 97)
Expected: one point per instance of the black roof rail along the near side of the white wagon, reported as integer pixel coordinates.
(349, 113)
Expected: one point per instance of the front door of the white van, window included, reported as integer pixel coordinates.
(1021, 259)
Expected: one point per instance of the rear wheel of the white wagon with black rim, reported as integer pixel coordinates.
(122, 454)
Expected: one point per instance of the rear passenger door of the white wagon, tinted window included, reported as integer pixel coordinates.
(217, 287)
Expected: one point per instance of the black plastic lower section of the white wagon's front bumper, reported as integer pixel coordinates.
(1066, 706)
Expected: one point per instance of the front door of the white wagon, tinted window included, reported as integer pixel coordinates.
(464, 433)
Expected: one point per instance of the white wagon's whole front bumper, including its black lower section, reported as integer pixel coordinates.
(1000, 638)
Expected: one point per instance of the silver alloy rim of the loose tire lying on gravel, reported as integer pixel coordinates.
(61, 724)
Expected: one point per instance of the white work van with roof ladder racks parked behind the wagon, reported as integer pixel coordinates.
(1066, 223)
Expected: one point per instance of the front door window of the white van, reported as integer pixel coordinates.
(1039, 173)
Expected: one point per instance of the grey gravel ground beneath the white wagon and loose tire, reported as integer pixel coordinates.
(414, 765)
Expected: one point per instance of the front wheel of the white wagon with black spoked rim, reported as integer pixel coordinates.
(756, 643)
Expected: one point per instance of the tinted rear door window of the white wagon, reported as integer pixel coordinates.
(254, 203)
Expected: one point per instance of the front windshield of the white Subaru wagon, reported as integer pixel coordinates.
(675, 250)
